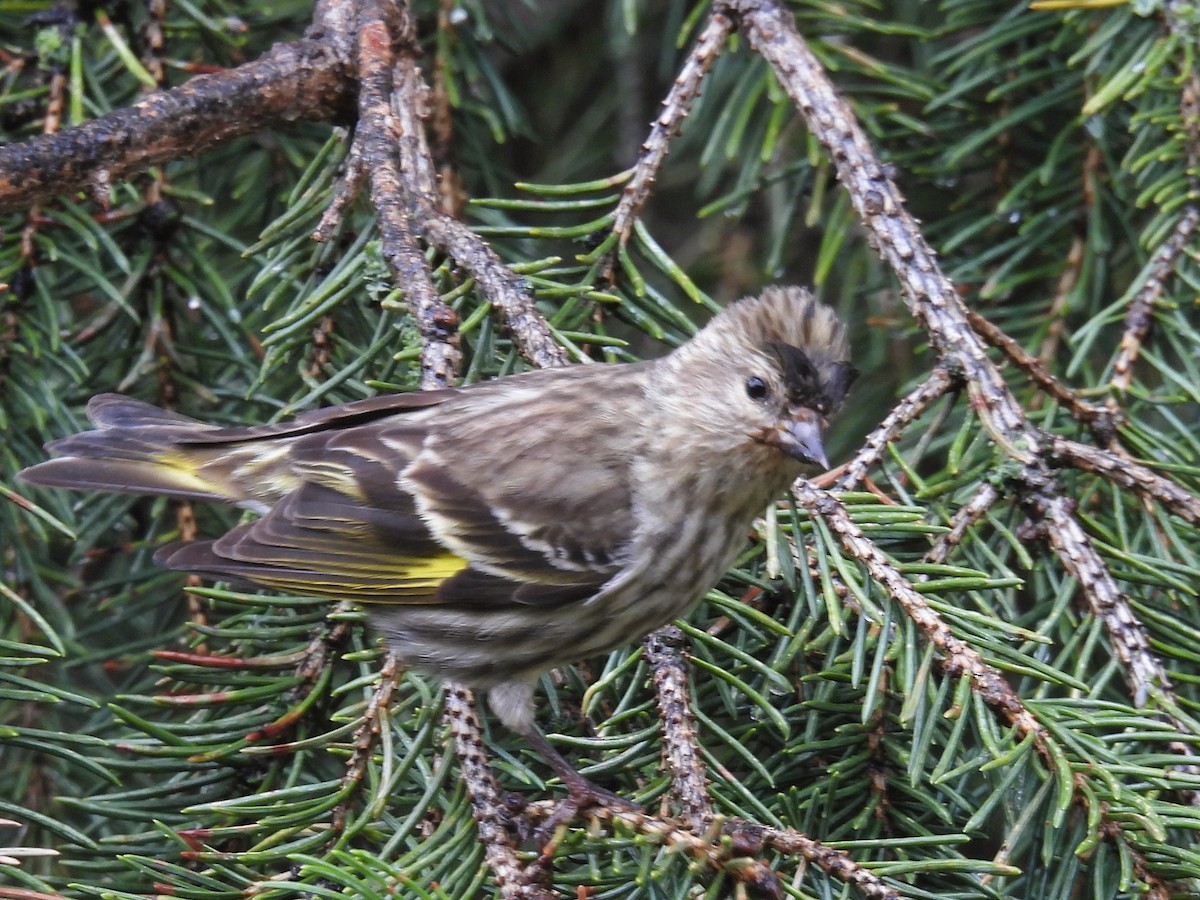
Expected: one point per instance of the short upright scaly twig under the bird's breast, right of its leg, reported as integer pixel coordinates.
(680, 742)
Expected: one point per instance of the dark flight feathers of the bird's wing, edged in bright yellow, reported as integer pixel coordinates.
(350, 531)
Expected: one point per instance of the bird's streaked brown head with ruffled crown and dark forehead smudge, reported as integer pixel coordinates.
(765, 376)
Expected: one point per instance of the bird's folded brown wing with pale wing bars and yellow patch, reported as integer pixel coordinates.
(488, 501)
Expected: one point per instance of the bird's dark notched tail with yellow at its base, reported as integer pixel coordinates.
(136, 448)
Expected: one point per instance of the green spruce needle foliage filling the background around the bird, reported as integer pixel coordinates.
(207, 743)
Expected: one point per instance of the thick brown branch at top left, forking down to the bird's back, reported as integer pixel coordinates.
(351, 50)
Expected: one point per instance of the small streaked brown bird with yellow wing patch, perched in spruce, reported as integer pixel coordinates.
(501, 530)
